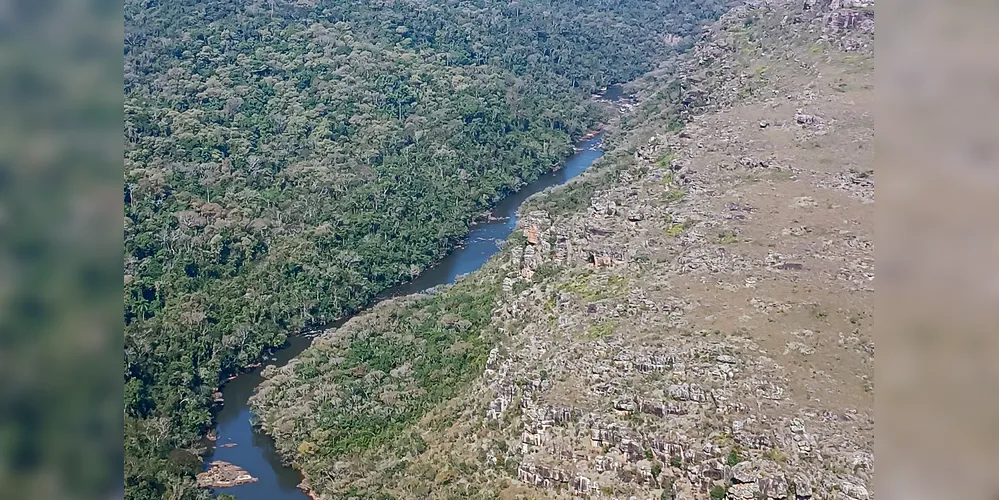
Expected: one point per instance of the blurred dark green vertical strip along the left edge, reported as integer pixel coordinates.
(60, 413)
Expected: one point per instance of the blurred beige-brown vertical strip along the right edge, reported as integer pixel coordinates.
(937, 372)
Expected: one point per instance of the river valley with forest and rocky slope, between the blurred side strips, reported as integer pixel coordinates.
(485, 314)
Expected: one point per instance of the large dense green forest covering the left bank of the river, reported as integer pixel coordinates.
(286, 161)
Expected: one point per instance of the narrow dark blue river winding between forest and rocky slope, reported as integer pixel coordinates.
(237, 440)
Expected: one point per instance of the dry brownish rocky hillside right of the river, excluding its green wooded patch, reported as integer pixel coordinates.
(702, 326)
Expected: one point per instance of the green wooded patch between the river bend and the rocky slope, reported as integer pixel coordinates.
(377, 376)
